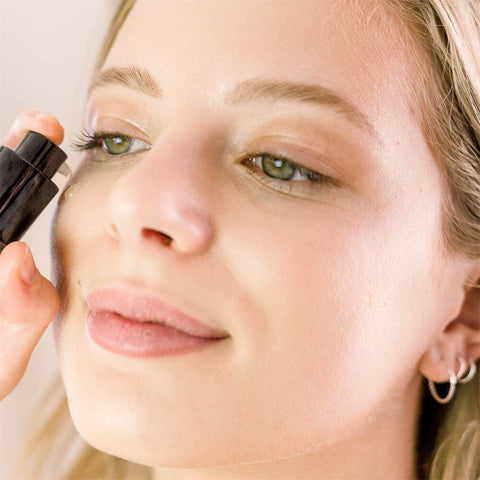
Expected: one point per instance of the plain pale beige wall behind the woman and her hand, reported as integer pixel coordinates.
(46, 52)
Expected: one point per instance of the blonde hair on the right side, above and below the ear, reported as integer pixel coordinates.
(447, 35)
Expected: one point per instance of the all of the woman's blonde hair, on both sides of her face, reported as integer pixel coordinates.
(446, 40)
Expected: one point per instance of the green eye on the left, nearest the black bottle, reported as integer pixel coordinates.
(112, 143)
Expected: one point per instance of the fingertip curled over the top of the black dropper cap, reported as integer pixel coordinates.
(35, 121)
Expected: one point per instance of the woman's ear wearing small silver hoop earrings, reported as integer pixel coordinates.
(460, 337)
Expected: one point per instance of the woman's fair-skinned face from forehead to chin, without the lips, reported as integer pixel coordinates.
(329, 287)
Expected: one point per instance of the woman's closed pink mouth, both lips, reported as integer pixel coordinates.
(137, 323)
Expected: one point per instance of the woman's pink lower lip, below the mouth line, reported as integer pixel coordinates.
(140, 339)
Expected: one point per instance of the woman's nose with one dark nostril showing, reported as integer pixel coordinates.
(160, 201)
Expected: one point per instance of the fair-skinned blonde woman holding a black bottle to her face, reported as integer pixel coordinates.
(302, 181)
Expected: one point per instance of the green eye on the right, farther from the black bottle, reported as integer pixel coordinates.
(283, 174)
